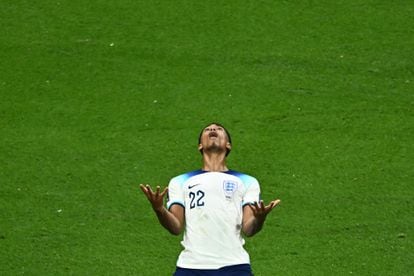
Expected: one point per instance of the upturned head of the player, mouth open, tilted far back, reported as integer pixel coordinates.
(214, 138)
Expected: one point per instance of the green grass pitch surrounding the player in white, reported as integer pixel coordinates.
(99, 96)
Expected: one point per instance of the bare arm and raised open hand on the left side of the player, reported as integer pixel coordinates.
(172, 219)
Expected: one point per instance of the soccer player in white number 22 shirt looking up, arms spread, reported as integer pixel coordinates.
(214, 206)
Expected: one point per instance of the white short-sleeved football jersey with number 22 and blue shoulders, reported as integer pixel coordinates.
(213, 203)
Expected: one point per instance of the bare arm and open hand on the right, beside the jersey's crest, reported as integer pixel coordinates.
(254, 216)
